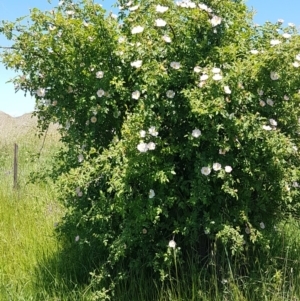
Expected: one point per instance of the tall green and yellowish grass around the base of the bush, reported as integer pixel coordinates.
(34, 266)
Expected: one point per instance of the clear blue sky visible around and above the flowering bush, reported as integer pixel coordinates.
(16, 104)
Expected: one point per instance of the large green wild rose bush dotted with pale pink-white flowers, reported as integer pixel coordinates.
(180, 121)
